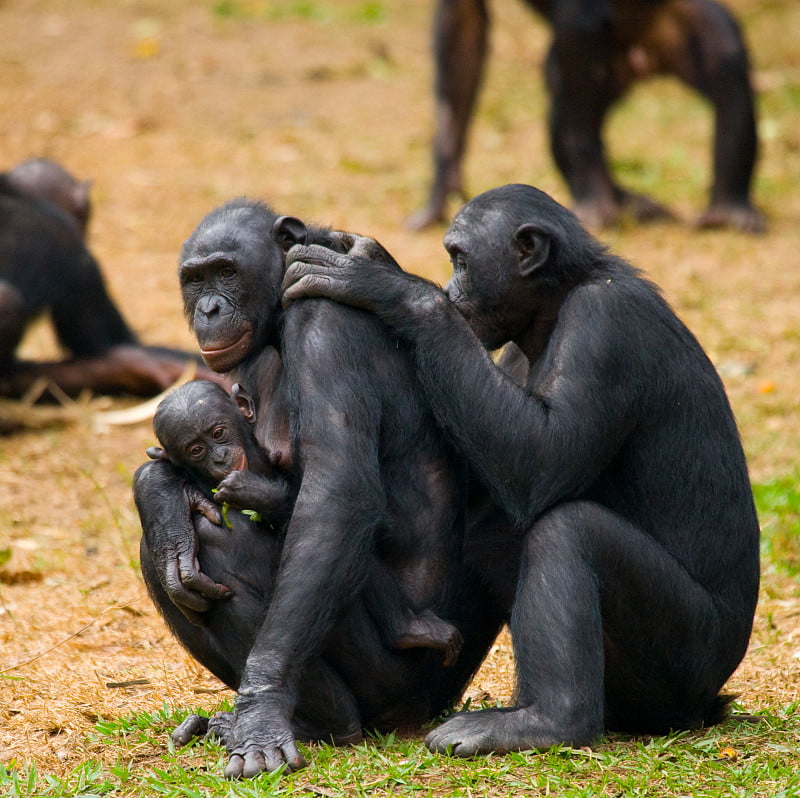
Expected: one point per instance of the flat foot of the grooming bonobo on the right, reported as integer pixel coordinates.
(501, 730)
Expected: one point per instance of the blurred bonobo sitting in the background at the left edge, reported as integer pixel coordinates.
(45, 266)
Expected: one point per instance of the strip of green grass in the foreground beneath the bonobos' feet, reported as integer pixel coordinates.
(741, 757)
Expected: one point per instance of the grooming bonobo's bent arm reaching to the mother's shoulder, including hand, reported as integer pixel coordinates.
(555, 436)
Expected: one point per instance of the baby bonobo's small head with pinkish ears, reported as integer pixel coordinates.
(205, 431)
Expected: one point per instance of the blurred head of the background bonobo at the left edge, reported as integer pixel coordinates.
(43, 179)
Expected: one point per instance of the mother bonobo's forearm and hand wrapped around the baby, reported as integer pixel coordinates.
(165, 500)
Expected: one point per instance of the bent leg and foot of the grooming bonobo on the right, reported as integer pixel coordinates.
(609, 631)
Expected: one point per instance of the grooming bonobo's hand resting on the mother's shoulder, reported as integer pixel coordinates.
(366, 276)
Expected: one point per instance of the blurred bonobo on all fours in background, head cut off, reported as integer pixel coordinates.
(600, 49)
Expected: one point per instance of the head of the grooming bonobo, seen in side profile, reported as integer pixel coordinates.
(515, 252)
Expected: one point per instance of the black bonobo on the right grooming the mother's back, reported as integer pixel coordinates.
(629, 564)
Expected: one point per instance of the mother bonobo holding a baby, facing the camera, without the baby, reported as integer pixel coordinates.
(339, 408)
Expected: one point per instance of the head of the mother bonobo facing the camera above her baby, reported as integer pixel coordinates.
(230, 273)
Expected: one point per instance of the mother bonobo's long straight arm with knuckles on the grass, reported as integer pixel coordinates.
(329, 538)
